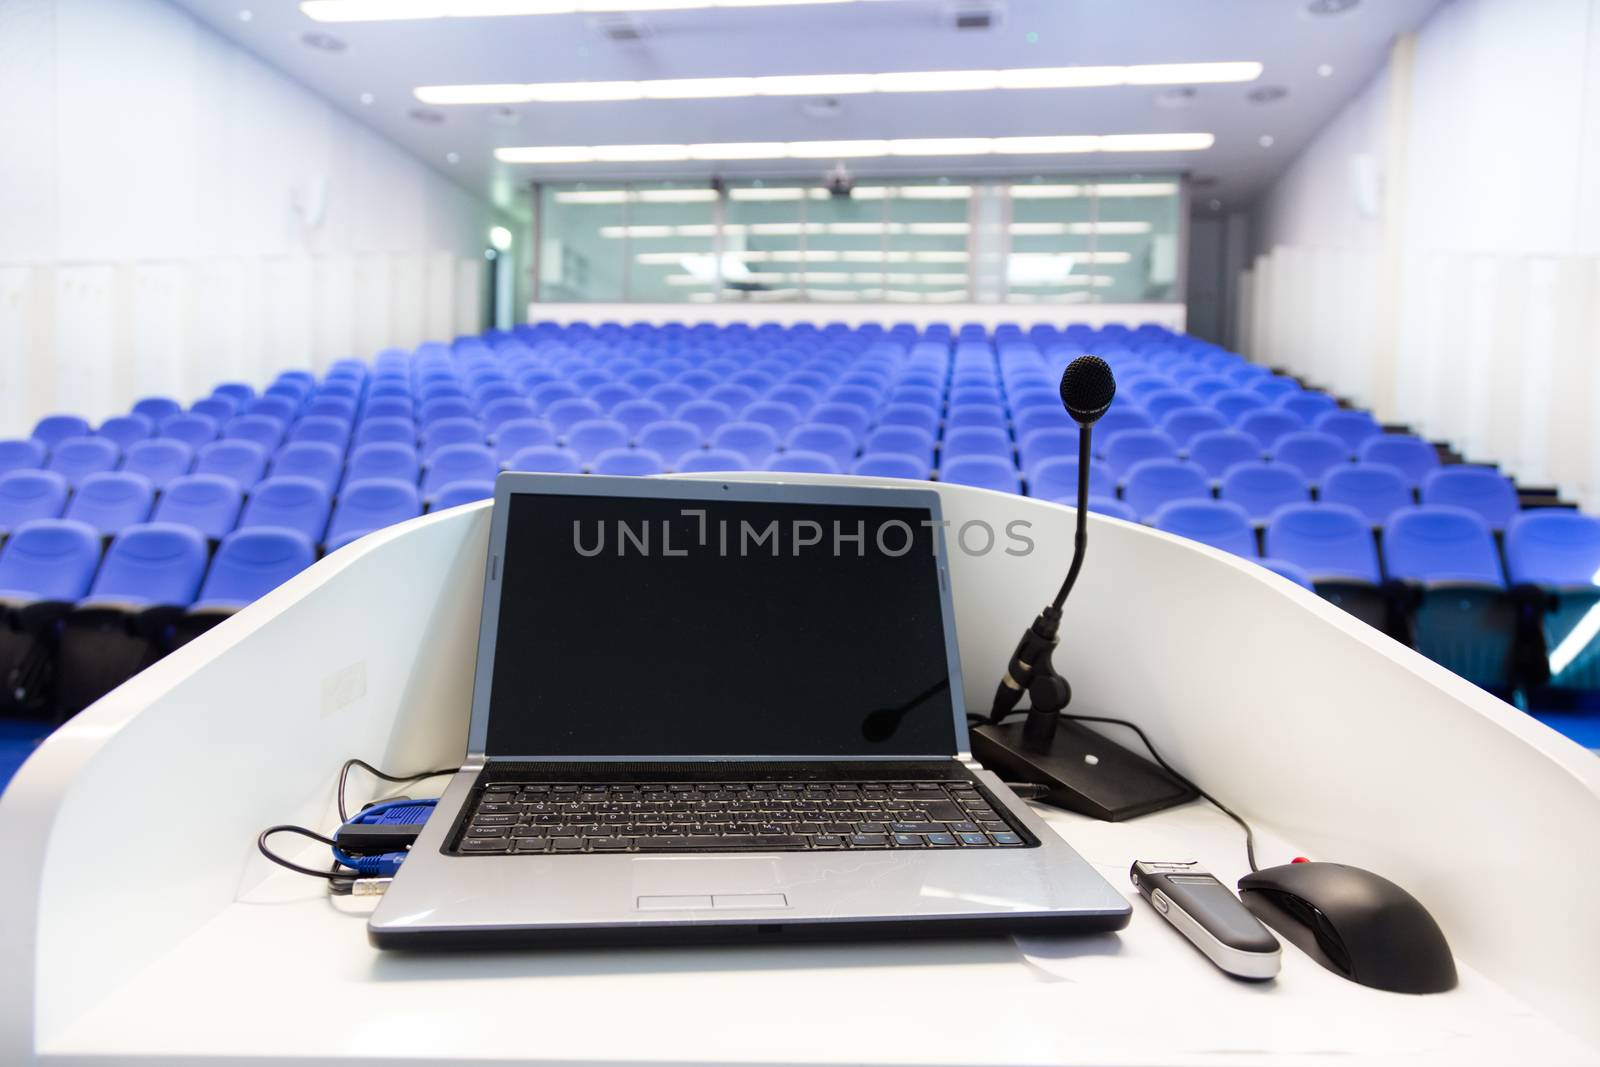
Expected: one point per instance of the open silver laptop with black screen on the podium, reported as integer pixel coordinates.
(724, 711)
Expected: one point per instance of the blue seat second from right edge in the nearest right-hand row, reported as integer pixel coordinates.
(1463, 620)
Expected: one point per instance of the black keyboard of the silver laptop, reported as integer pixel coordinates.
(732, 817)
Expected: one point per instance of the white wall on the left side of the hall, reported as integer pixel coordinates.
(175, 214)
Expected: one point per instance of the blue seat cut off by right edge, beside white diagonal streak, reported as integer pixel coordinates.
(1559, 551)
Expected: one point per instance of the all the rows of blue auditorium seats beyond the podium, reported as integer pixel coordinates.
(1198, 442)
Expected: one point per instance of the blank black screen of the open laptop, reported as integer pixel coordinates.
(668, 628)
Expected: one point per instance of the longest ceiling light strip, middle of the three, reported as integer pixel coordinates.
(839, 84)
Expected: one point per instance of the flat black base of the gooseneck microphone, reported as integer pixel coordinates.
(1118, 785)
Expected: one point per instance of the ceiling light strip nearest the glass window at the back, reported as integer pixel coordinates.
(858, 150)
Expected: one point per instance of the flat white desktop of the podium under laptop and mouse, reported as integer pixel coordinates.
(286, 975)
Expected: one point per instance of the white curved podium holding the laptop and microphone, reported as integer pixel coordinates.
(140, 925)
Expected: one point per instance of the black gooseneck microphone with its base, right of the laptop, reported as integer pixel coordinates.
(1079, 769)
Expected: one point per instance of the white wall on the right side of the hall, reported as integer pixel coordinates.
(1436, 250)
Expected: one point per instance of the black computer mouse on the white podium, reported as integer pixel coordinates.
(1354, 924)
